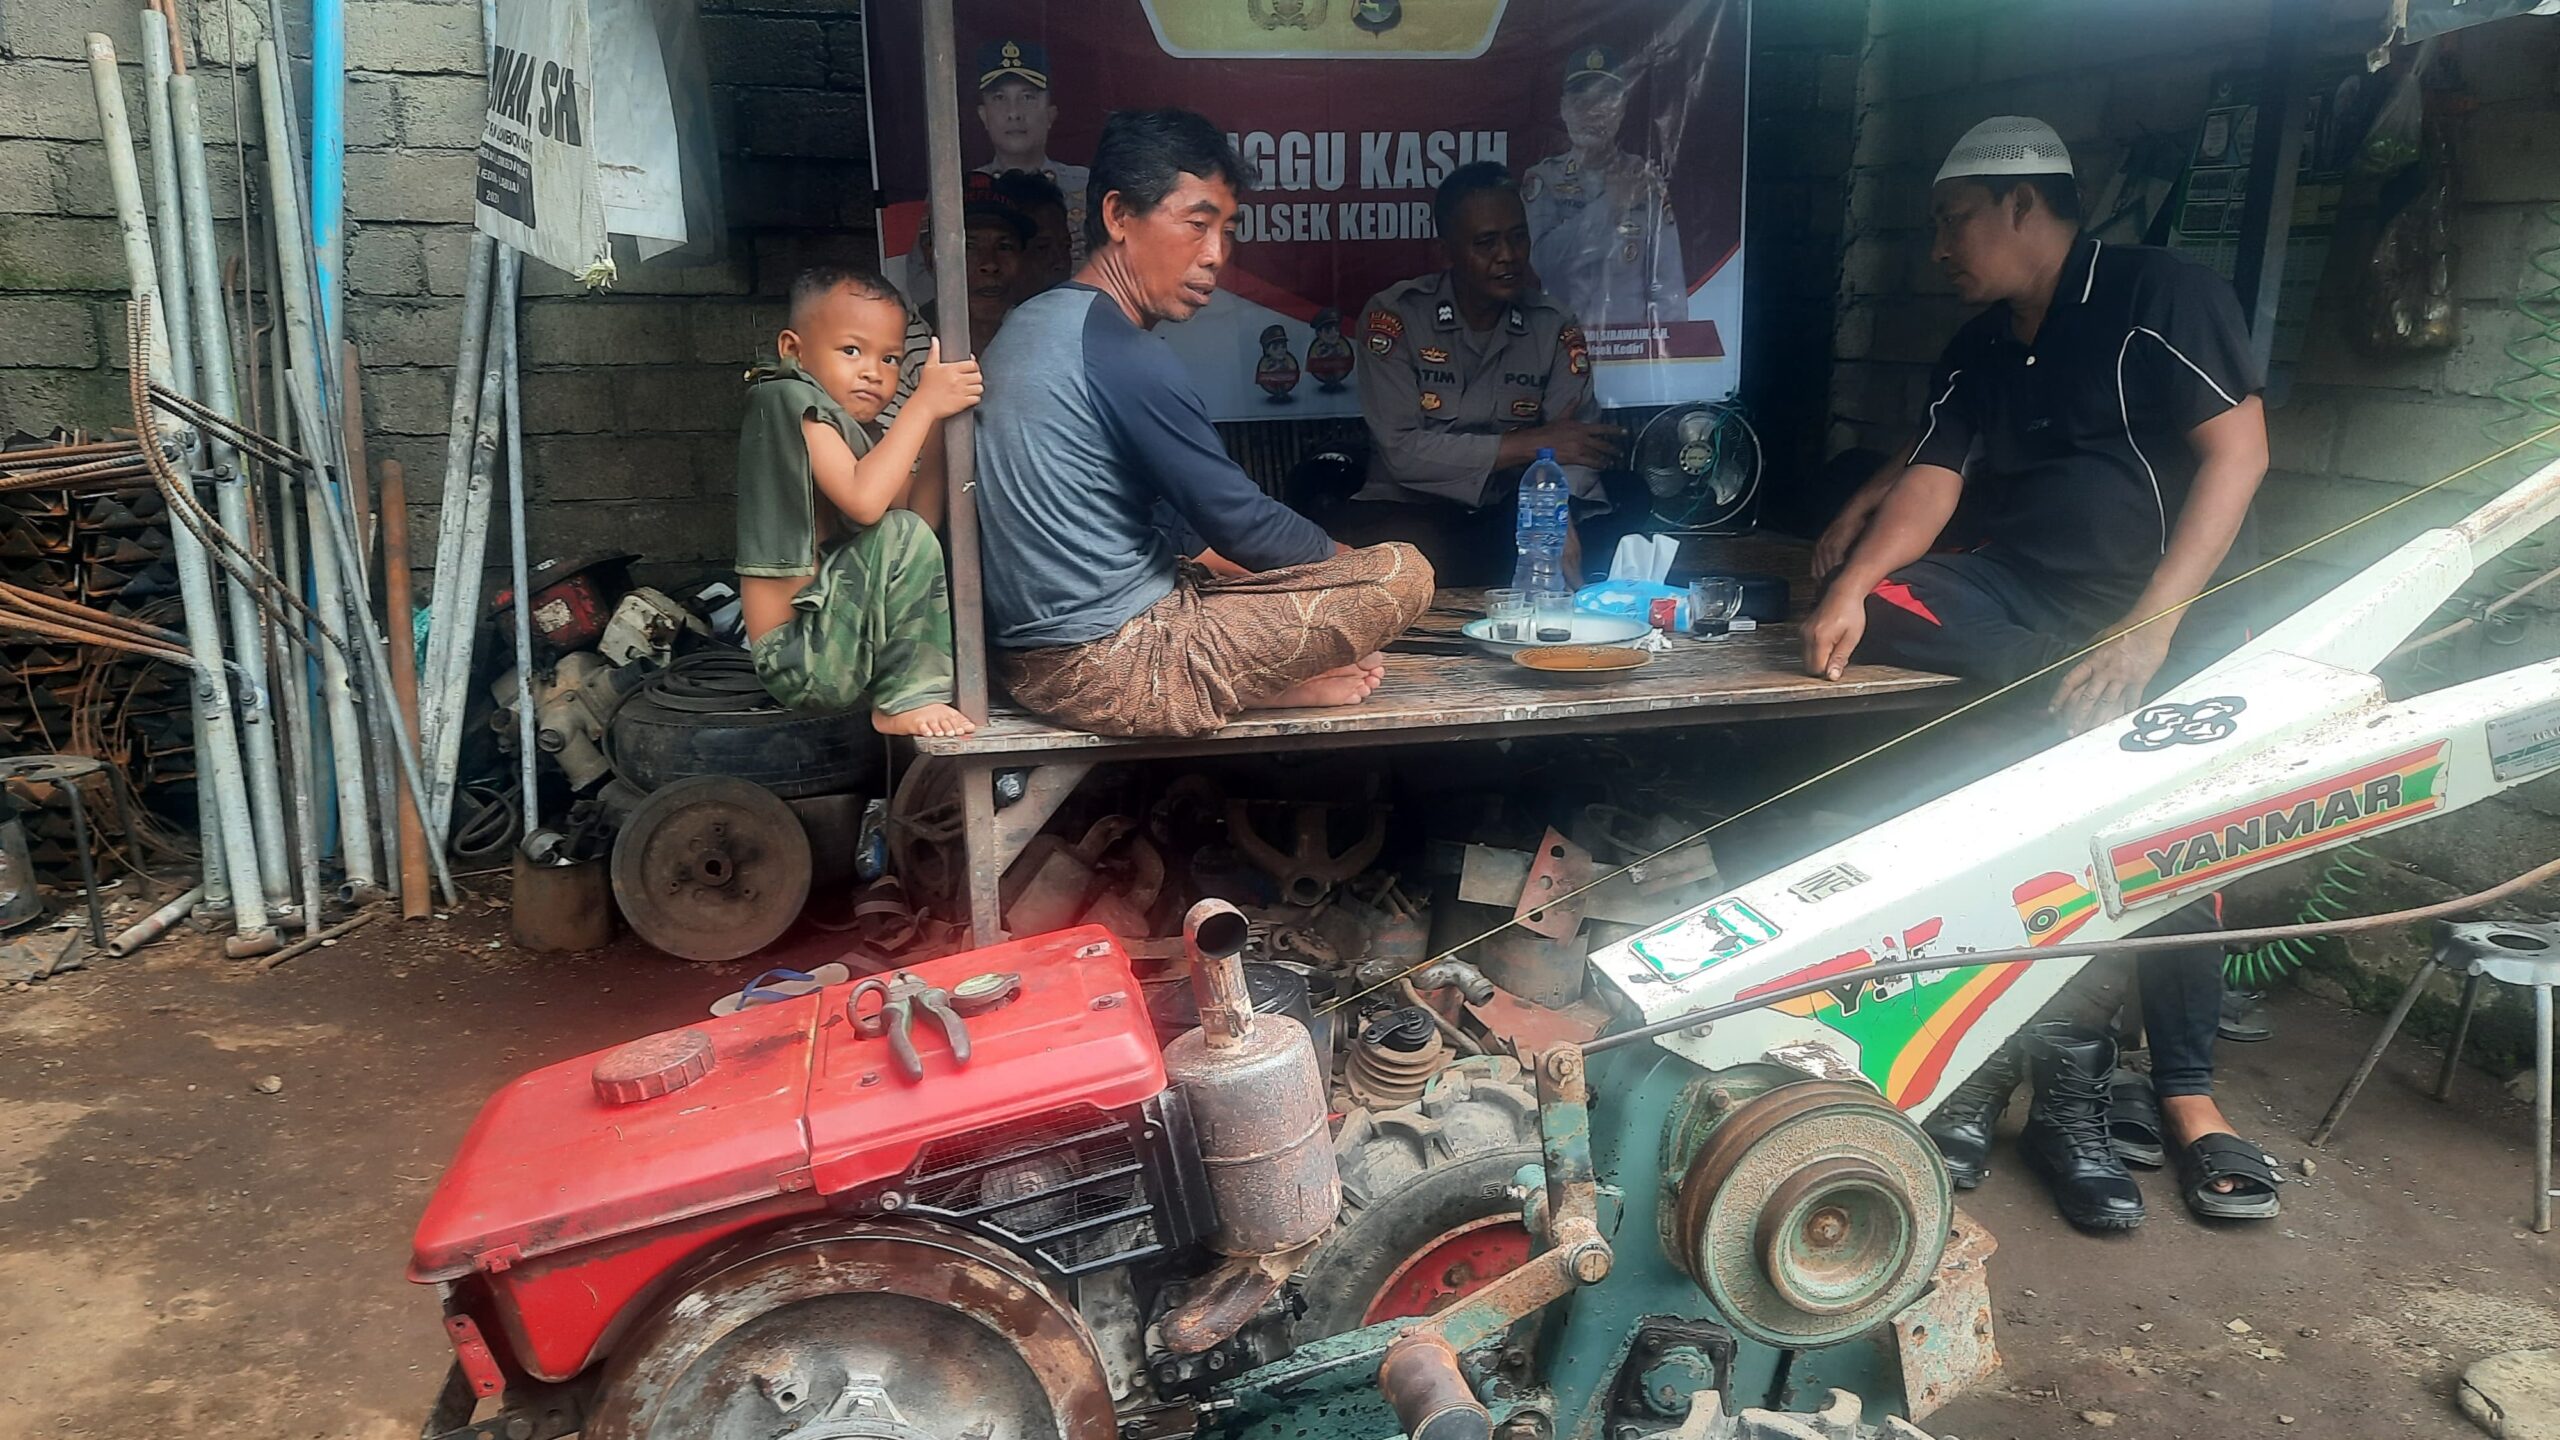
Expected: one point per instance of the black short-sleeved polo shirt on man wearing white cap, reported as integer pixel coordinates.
(2083, 434)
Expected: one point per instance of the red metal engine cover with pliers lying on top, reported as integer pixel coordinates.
(588, 1182)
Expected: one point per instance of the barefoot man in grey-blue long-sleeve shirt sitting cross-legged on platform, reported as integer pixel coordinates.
(1094, 450)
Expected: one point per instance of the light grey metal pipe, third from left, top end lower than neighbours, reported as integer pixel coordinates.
(232, 491)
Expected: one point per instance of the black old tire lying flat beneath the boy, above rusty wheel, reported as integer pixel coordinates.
(708, 714)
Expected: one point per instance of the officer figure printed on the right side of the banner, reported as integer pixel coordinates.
(1606, 242)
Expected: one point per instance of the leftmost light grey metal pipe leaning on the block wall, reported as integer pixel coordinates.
(219, 755)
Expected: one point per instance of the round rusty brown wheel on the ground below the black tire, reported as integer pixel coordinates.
(713, 867)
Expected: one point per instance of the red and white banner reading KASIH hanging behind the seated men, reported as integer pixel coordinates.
(1622, 119)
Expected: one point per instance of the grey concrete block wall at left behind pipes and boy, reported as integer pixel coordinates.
(631, 398)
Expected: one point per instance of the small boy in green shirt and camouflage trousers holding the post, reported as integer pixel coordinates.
(838, 568)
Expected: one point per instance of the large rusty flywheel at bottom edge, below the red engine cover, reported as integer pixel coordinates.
(856, 1331)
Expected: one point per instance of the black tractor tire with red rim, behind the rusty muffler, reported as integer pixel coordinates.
(1427, 1208)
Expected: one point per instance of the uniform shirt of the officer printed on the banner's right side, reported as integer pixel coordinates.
(1604, 240)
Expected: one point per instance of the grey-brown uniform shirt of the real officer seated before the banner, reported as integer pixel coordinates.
(1440, 396)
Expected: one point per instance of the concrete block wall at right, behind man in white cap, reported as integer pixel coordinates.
(2349, 432)
